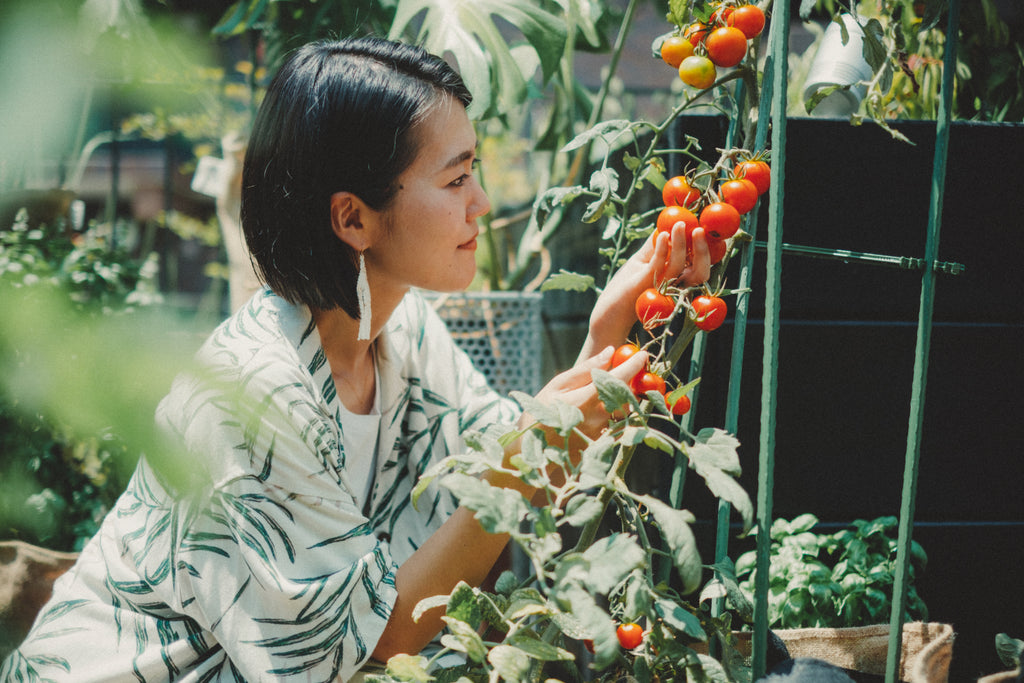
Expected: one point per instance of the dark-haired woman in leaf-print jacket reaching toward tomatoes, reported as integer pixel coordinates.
(298, 556)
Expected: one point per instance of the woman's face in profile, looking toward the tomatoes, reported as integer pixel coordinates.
(431, 242)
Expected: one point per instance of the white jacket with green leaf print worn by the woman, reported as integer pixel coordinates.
(273, 570)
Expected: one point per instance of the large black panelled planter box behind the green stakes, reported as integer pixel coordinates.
(846, 358)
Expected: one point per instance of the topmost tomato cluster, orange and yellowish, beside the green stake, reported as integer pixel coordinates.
(721, 42)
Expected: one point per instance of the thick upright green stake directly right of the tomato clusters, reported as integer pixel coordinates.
(777, 71)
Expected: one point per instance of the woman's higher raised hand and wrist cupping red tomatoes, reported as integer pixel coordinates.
(659, 260)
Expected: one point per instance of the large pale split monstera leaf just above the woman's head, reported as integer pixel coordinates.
(496, 73)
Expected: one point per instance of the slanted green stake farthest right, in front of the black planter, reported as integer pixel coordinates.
(910, 493)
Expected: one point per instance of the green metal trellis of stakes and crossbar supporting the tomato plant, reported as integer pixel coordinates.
(772, 122)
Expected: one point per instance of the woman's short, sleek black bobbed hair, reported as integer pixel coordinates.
(337, 117)
